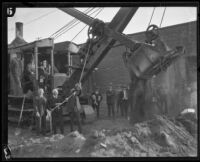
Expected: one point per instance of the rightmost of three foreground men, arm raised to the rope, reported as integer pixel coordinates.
(74, 108)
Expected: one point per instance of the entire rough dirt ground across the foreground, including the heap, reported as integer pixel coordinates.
(160, 137)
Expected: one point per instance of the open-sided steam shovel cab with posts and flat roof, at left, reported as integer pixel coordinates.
(31, 53)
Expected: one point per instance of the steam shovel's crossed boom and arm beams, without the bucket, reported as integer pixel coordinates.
(111, 33)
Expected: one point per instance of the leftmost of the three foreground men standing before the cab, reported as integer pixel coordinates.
(40, 107)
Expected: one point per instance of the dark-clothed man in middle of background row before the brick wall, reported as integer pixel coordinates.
(110, 98)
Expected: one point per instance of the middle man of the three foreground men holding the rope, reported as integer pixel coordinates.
(56, 114)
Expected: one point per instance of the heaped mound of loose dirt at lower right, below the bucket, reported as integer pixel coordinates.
(158, 137)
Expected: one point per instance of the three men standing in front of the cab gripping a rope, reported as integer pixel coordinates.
(51, 109)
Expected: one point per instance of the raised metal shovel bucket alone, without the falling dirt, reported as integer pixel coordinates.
(148, 60)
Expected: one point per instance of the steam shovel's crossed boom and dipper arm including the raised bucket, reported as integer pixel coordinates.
(143, 61)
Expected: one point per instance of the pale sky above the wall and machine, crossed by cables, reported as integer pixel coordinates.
(40, 23)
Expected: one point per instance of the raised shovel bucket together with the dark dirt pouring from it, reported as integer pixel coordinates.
(143, 63)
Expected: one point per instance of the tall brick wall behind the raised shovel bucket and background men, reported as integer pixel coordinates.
(112, 68)
